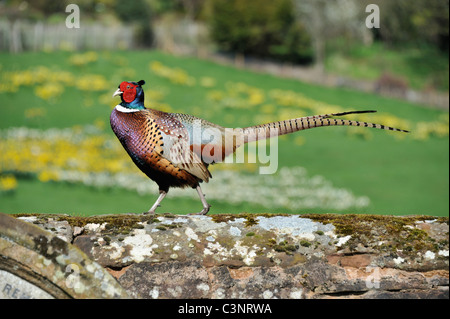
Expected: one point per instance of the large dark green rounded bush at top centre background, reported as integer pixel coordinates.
(265, 28)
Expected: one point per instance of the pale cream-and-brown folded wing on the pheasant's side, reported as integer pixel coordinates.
(176, 147)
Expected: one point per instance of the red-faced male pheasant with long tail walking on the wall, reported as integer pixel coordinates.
(170, 151)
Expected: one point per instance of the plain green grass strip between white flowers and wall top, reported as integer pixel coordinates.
(62, 198)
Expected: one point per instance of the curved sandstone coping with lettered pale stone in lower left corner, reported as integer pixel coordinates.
(38, 264)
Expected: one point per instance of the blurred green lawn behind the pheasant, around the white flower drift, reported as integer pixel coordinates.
(400, 175)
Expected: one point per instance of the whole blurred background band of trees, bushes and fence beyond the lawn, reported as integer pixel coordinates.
(411, 44)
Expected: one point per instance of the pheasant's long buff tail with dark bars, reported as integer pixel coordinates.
(254, 133)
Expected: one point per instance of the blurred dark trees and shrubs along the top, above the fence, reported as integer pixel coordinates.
(278, 29)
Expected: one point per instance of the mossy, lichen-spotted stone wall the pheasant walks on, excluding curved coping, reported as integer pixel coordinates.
(262, 256)
